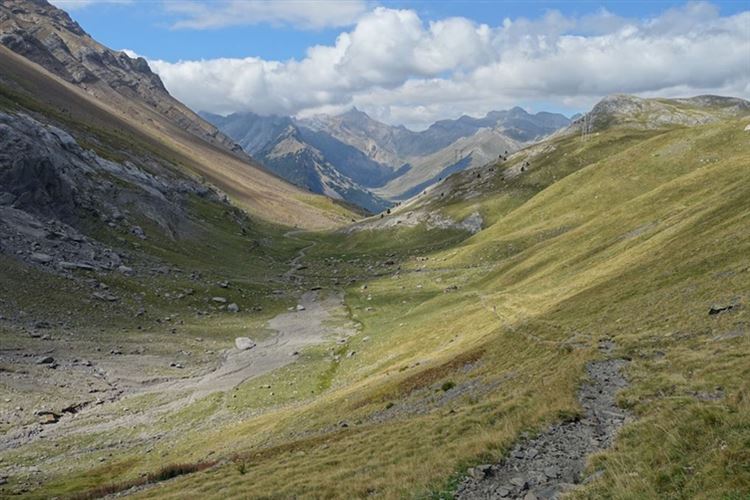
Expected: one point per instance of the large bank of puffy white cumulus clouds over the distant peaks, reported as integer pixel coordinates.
(402, 70)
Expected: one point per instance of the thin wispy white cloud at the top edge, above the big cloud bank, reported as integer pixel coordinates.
(298, 13)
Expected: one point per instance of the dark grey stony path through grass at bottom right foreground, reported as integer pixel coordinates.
(553, 462)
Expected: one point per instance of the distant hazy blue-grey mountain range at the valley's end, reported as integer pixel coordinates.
(371, 164)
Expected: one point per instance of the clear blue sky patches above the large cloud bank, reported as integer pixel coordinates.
(146, 27)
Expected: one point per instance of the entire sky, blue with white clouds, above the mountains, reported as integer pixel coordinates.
(414, 62)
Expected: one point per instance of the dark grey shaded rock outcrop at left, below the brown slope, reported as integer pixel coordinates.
(52, 191)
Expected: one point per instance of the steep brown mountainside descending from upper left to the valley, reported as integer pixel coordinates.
(148, 124)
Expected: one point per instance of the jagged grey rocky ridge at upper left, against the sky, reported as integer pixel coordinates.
(49, 37)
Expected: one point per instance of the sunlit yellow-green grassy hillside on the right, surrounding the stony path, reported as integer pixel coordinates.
(634, 247)
